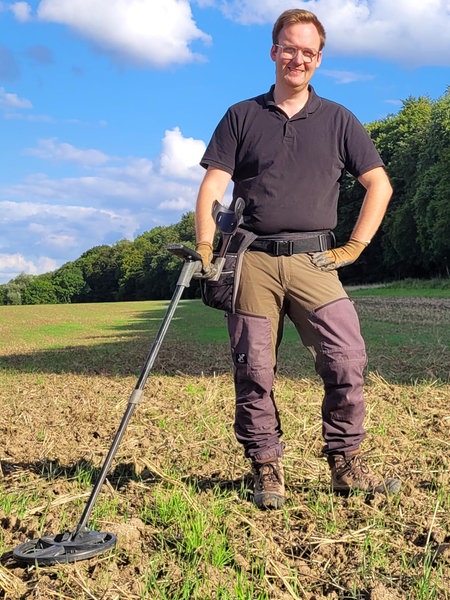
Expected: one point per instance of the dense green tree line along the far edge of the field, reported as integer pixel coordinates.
(413, 240)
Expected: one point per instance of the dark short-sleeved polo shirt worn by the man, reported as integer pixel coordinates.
(288, 170)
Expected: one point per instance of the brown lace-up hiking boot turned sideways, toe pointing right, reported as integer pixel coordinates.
(349, 472)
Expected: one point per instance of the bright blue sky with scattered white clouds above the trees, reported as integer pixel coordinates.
(106, 106)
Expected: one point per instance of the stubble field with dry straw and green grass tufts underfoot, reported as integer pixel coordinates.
(178, 495)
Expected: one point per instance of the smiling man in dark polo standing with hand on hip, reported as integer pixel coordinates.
(286, 151)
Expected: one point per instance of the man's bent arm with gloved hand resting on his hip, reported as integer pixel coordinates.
(376, 200)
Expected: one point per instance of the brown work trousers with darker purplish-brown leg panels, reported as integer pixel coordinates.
(271, 288)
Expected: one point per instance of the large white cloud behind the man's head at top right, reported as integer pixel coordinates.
(413, 32)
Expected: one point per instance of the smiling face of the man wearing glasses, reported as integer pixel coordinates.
(296, 72)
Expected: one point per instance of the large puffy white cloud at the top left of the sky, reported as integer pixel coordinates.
(150, 33)
